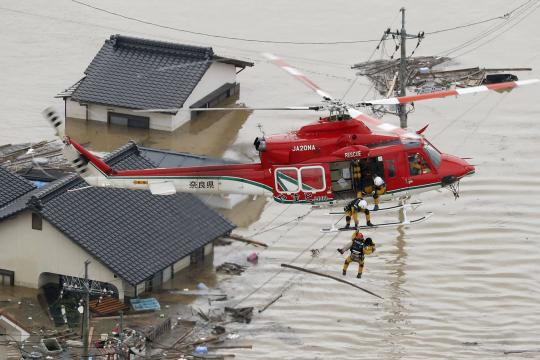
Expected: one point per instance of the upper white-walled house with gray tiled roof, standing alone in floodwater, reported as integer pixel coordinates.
(150, 84)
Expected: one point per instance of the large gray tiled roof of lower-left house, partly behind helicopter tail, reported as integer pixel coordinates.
(134, 233)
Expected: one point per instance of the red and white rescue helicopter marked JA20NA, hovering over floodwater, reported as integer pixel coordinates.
(312, 165)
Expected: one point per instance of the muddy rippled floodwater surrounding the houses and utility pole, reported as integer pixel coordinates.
(463, 285)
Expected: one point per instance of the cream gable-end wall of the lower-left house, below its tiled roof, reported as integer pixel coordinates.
(30, 252)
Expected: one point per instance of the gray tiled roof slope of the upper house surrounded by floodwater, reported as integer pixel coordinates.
(143, 74)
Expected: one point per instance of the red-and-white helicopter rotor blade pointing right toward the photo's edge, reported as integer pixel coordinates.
(454, 92)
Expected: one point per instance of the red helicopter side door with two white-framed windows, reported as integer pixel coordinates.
(302, 183)
